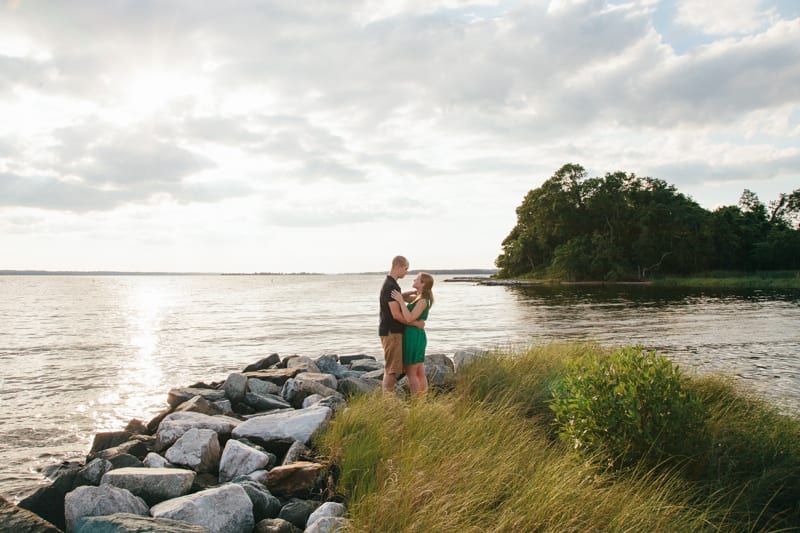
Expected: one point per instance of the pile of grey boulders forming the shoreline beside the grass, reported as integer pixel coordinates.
(229, 457)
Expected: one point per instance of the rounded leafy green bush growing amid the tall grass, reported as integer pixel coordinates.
(630, 406)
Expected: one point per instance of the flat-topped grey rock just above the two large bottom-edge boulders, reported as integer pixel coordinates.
(153, 485)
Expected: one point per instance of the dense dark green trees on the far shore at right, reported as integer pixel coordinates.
(624, 227)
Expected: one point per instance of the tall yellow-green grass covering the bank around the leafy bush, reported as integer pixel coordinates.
(486, 457)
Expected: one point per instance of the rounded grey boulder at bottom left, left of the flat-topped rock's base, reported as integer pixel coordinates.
(98, 501)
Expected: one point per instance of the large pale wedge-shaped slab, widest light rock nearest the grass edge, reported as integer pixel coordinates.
(299, 425)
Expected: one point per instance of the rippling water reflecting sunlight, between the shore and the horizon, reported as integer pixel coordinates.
(84, 354)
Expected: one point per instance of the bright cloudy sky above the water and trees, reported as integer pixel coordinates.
(329, 136)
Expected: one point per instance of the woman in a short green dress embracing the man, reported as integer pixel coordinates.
(414, 339)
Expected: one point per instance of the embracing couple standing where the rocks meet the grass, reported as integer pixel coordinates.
(402, 327)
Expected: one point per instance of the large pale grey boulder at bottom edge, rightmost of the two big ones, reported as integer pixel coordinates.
(224, 509)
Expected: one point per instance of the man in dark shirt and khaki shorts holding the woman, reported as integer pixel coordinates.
(392, 325)
